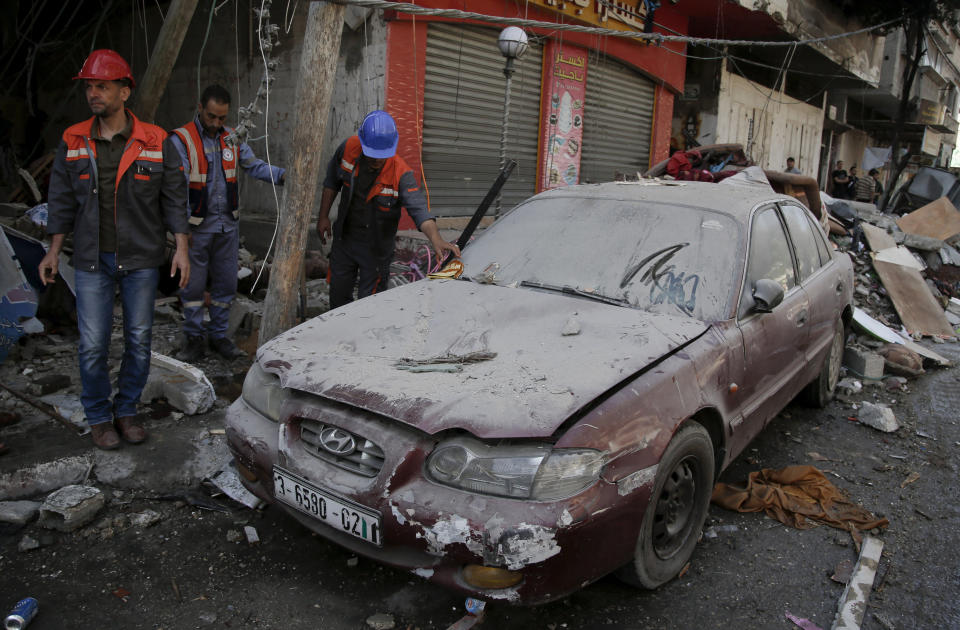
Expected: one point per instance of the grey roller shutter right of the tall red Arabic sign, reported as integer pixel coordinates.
(617, 124)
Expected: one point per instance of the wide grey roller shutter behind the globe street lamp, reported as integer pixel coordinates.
(463, 115)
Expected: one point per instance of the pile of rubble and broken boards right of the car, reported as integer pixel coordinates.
(922, 302)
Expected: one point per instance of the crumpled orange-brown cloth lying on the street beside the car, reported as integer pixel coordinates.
(795, 496)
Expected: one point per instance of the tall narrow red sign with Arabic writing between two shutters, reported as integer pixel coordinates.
(561, 108)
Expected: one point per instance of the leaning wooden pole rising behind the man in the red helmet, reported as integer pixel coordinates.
(163, 57)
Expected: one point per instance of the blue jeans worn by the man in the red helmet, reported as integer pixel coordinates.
(95, 295)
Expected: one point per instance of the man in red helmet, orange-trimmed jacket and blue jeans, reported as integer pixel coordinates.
(117, 186)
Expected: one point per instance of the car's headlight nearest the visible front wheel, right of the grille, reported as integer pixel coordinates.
(534, 471)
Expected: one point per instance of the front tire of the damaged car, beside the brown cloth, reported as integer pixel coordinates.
(676, 512)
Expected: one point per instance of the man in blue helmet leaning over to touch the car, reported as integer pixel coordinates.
(376, 183)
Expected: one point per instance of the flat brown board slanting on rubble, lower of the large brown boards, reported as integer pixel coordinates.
(916, 306)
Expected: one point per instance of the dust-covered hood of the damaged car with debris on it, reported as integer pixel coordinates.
(538, 357)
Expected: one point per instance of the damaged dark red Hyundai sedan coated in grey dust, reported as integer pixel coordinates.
(561, 410)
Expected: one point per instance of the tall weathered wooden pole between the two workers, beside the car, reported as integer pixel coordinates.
(318, 69)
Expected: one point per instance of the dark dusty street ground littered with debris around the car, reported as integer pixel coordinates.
(193, 569)
